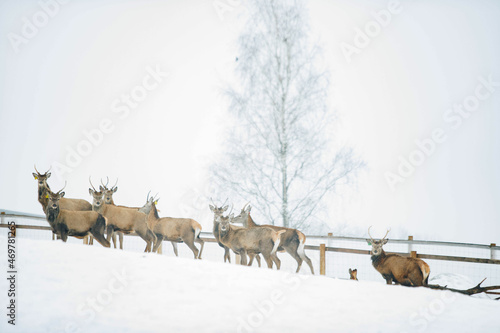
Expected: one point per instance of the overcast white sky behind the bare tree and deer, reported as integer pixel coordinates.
(71, 75)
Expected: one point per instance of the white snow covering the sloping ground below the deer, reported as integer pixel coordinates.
(78, 288)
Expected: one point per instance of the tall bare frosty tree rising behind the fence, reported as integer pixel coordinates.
(279, 153)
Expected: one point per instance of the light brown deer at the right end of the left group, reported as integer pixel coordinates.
(175, 230)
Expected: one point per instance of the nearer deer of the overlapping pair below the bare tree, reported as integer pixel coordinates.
(250, 240)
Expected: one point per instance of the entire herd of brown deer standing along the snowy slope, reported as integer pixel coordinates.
(79, 218)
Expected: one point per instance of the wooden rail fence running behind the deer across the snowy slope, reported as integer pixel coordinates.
(323, 249)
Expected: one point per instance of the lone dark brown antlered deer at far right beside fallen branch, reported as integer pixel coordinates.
(393, 267)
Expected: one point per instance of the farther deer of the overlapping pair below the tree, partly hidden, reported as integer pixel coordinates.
(292, 241)
